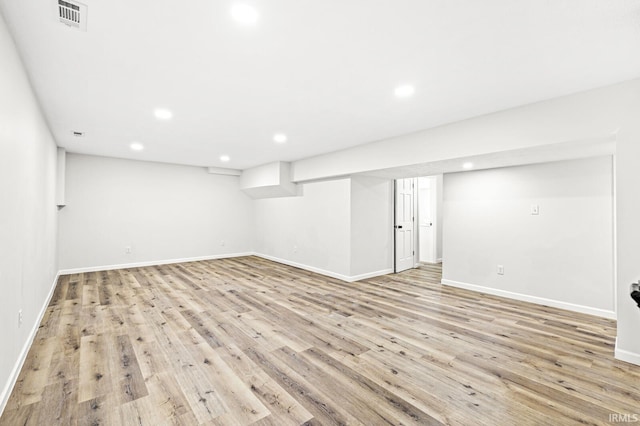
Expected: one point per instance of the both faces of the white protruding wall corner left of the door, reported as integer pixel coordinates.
(342, 228)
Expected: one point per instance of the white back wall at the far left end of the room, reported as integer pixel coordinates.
(163, 212)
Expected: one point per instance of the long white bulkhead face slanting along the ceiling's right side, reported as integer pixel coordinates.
(567, 120)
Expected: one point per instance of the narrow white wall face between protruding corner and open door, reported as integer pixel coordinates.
(371, 226)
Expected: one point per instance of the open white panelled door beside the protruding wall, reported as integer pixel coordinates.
(404, 224)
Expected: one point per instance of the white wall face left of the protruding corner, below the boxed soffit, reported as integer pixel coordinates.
(311, 231)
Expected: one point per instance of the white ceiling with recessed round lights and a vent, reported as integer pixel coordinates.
(323, 72)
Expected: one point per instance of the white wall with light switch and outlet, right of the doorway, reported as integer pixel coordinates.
(564, 254)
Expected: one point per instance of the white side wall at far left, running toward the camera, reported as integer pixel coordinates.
(27, 214)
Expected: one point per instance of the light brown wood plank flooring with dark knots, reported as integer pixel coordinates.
(247, 341)
